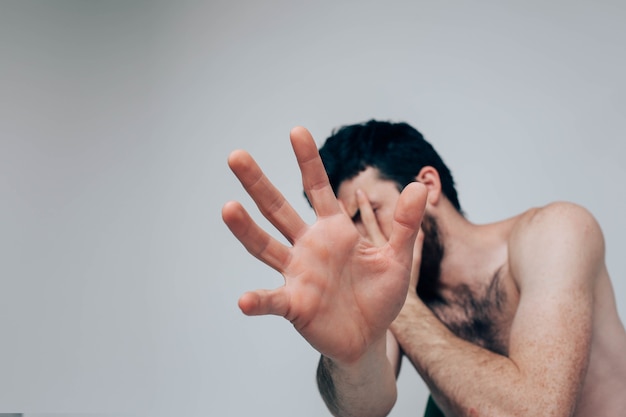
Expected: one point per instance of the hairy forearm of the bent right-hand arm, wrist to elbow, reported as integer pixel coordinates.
(465, 379)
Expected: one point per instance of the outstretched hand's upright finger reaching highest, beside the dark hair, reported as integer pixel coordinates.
(314, 177)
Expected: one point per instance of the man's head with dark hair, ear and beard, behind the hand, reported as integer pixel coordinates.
(381, 158)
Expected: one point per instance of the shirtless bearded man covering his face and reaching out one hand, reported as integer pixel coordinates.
(515, 318)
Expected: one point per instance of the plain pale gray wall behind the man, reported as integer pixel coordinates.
(118, 280)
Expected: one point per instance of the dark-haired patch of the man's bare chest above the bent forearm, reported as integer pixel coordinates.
(481, 313)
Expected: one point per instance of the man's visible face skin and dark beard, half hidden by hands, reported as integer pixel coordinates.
(383, 196)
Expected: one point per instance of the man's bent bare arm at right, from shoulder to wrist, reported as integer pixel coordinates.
(554, 256)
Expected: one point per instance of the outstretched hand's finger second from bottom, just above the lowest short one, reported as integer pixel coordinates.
(258, 242)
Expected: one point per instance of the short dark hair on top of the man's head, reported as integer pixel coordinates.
(398, 150)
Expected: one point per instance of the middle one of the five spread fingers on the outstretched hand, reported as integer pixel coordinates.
(270, 201)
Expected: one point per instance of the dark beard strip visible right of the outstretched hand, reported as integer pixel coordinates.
(430, 266)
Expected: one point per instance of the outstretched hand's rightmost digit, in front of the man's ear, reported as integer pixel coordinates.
(407, 218)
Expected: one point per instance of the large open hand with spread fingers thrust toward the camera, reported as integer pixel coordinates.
(341, 292)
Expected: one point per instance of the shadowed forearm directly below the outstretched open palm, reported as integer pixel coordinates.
(364, 388)
